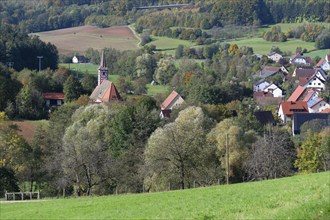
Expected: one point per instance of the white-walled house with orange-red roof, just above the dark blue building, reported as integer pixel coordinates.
(287, 109)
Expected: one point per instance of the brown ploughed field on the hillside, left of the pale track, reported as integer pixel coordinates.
(77, 39)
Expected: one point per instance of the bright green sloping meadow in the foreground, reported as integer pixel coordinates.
(299, 197)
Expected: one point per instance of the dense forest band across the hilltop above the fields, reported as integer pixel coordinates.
(42, 15)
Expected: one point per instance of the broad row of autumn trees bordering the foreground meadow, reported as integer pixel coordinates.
(125, 148)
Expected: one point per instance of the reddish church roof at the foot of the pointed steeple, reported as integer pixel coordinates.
(105, 92)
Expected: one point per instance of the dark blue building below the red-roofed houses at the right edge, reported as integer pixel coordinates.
(300, 118)
